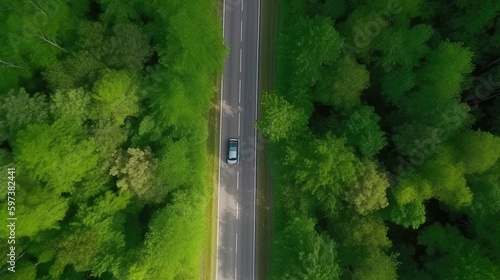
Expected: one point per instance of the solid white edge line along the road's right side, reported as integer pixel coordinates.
(255, 130)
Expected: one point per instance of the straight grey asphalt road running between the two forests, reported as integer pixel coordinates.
(237, 189)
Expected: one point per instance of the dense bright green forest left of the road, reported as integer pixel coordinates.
(103, 113)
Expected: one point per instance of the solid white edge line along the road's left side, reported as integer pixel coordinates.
(220, 148)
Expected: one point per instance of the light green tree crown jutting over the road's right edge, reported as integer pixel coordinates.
(281, 120)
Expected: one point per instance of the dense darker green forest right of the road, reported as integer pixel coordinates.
(385, 140)
